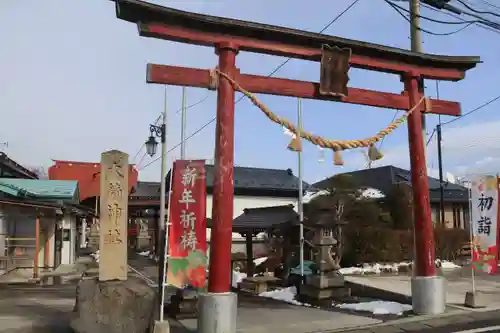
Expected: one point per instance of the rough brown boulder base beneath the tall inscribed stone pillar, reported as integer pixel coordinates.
(113, 306)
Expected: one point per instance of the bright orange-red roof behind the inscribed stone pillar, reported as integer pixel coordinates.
(87, 174)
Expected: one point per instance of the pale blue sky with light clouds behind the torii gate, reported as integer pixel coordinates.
(73, 85)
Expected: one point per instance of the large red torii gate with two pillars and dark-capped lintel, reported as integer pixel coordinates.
(229, 36)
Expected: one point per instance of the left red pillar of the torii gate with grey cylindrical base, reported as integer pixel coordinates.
(218, 307)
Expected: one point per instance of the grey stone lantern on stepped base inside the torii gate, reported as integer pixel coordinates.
(326, 283)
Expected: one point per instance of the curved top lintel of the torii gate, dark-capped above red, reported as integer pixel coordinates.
(177, 25)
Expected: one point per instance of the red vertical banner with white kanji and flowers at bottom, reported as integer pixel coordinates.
(187, 245)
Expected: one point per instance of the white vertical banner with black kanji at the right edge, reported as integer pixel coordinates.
(484, 217)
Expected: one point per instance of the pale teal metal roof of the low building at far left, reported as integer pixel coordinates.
(65, 190)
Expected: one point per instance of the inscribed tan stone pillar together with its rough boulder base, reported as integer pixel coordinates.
(112, 303)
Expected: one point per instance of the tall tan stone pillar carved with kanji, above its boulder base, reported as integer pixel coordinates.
(113, 216)
